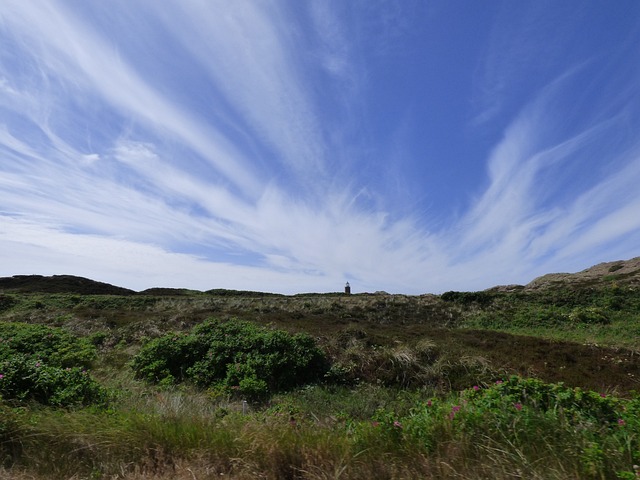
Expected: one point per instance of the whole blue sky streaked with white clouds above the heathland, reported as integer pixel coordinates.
(291, 146)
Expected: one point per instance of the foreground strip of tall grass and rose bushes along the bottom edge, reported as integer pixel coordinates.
(519, 429)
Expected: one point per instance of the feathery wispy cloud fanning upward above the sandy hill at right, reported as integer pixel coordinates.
(530, 213)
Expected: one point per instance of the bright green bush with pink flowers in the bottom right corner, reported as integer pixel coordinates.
(526, 425)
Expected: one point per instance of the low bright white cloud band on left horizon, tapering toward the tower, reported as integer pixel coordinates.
(40, 249)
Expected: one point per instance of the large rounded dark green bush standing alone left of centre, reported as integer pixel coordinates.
(235, 356)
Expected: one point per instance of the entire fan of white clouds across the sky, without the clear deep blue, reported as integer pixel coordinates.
(245, 174)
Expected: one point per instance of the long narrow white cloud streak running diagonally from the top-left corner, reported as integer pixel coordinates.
(71, 51)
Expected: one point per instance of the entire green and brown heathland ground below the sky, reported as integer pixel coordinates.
(536, 383)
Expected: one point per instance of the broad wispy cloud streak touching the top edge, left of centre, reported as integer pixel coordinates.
(251, 55)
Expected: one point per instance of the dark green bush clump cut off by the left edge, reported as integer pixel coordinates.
(47, 365)
